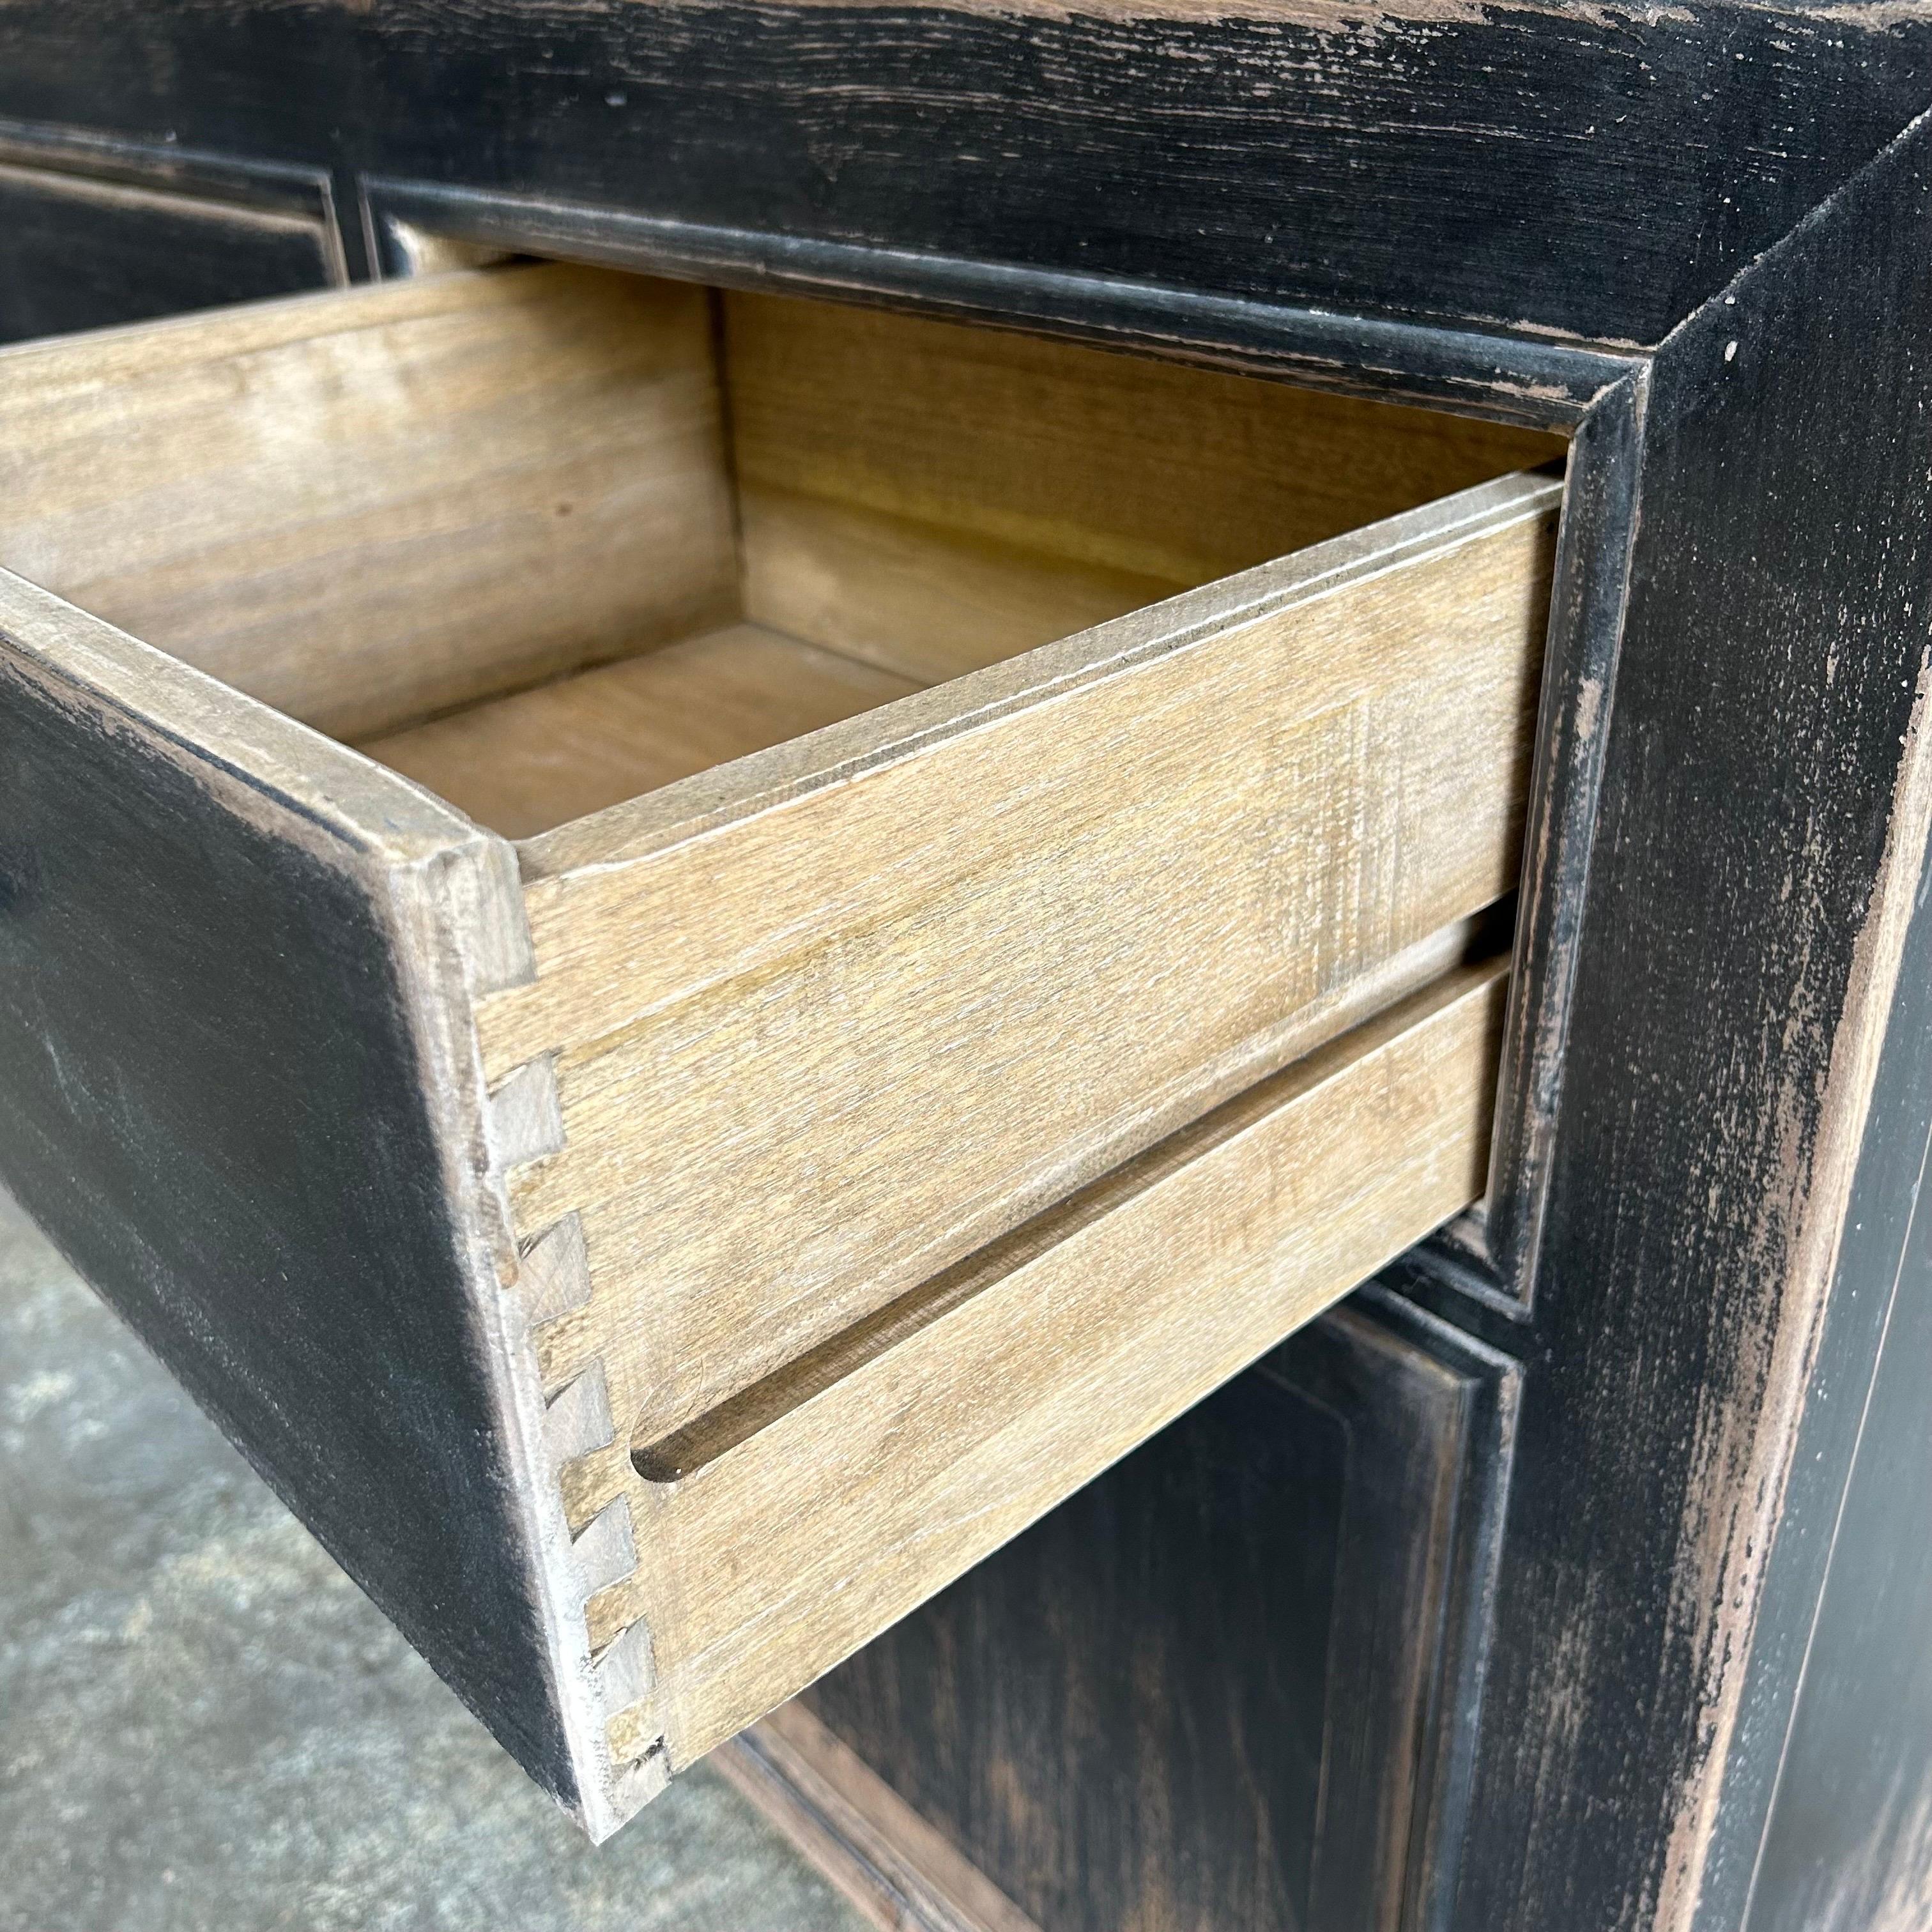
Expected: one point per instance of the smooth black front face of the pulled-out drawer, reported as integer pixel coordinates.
(210, 1096)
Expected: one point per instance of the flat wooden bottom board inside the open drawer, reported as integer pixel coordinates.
(534, 760)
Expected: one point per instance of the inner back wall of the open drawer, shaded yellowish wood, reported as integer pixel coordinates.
(936, 496)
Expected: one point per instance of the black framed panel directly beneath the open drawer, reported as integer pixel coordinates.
(1228, 1684)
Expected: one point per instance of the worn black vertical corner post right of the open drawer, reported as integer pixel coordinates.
(1776, 633)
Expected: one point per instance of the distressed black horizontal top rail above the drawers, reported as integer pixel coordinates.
(1589, 177)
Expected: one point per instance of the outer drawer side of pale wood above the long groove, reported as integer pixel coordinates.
(836, 1015)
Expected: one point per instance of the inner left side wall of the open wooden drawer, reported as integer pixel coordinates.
(370, 507)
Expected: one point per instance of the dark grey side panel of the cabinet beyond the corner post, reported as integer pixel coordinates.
(1879, 1303)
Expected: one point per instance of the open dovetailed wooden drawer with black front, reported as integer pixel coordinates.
(905, 1060)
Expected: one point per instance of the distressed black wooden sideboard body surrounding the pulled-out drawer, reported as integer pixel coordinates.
(1576, 1574)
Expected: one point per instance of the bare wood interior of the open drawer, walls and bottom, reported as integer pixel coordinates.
(571, 536)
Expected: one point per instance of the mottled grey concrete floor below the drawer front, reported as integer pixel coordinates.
(204, 1724)
